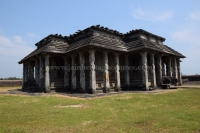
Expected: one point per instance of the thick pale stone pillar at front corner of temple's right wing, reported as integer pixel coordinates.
(144, 71)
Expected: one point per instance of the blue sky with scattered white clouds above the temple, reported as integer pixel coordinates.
(23, 23)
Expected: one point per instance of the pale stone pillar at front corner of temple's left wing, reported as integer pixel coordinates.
(47, 81)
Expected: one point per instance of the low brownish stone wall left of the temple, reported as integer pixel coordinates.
(10, 83)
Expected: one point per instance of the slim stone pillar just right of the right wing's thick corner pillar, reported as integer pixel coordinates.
(153, 74)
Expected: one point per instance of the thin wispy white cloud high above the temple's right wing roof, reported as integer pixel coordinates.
(153, 15)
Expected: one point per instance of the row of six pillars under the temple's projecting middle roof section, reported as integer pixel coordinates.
(92, 72)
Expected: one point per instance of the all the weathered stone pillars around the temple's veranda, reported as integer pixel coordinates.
(44, 80)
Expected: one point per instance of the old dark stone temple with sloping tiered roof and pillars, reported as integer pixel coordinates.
(99, 59)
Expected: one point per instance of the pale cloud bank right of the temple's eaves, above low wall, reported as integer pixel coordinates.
(188, 41)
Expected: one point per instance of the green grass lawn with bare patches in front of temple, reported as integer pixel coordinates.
(174, 111)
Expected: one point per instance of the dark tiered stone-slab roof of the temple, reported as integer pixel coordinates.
(103, 37)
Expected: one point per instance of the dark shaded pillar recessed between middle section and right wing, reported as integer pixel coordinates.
(127, 76)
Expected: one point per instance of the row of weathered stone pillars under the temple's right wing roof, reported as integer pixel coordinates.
(175, 67)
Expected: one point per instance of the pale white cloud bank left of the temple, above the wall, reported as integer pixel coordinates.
(12, 50)
